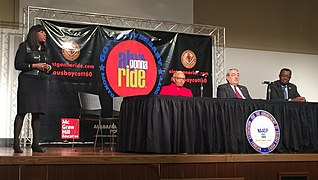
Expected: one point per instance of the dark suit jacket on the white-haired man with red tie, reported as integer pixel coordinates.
(226, 91)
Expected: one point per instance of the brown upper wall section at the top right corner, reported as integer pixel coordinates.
(286, 26)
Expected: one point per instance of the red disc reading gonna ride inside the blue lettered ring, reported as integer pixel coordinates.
(131, 69)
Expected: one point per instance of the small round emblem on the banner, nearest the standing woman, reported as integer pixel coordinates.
(71, 51)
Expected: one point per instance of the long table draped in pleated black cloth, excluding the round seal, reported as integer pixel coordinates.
(165, 124)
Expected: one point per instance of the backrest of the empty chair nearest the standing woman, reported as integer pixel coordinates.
(90, 104)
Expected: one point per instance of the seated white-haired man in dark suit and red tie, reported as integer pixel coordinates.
(232, 89)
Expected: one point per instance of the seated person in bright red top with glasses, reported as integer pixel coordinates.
(176, 88)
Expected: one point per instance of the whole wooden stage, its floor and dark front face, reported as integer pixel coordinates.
(65, 163)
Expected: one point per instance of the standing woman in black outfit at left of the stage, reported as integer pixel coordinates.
(32, 60)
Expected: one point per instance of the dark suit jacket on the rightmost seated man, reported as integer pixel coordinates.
(277, 92)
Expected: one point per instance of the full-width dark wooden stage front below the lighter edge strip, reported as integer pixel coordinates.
(217, 170)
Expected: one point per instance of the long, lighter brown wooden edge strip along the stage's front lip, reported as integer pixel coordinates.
(42, 158)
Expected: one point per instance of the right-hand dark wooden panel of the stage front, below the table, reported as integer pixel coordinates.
(259, 171)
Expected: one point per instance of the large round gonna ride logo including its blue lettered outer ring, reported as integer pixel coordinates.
(130, 65)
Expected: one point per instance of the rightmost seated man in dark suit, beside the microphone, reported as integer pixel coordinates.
(282, 89)
